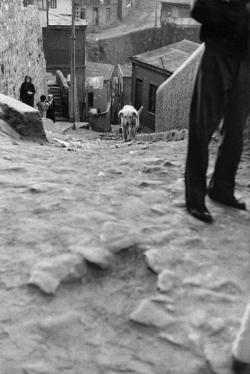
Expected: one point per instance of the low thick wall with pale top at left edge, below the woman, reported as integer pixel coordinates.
(23, 119)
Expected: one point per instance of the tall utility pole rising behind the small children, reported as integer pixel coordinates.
(73, 64)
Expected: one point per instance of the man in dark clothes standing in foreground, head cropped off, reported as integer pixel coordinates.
(217, 96)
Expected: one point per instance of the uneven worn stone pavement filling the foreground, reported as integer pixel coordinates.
(103, 272)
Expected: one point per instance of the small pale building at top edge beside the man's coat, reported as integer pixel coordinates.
(176, 11)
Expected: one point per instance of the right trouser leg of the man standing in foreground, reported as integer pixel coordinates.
(230, 150)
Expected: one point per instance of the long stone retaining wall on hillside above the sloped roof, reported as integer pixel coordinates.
(117, 50)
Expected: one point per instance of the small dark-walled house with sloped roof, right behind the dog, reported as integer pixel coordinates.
(150, 70)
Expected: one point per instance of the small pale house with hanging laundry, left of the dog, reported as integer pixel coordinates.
(98, 89)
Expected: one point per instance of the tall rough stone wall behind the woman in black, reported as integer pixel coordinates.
(21, 48)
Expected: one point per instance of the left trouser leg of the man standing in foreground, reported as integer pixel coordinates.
(214, 80)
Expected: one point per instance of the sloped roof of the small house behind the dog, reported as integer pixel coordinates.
(170, 57)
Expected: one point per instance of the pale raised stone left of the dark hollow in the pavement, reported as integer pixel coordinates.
(49, 273)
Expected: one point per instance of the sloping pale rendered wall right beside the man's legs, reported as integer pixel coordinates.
(173, 97)
